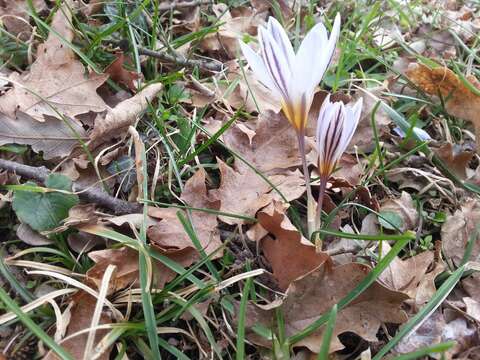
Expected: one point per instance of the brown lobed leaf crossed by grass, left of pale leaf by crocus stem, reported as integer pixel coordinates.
(169, 233)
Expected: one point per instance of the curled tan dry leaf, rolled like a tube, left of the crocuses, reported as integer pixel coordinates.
(117, 120)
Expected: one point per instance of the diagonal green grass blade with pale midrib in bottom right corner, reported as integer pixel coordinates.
(423, 314)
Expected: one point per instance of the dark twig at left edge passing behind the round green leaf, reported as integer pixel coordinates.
(94, 195)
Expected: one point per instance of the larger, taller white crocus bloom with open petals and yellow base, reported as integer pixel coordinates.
(291, 77)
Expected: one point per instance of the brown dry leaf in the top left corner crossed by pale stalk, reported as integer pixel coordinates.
(15, 16)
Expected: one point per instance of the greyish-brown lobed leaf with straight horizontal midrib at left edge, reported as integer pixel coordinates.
(54, 137)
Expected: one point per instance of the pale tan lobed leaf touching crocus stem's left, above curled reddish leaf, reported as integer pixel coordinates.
(244, 192)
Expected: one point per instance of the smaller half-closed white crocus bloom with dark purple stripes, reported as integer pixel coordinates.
(337, 123)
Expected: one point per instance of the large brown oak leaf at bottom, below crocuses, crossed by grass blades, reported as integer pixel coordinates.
(314, 295)
